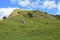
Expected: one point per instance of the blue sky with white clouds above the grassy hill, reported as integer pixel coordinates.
(49, 6)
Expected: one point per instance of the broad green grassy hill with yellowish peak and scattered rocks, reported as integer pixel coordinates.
(40, 26)
